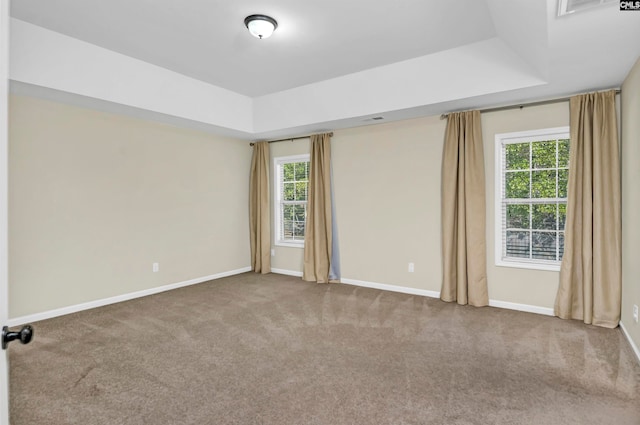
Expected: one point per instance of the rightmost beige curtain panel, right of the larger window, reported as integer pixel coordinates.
(590, 275)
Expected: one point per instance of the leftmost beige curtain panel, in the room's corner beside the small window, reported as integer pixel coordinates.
(259, 218)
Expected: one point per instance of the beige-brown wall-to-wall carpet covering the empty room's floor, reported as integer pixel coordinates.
(272, 349)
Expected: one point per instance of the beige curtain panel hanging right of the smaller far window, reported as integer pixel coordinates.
(318, 229)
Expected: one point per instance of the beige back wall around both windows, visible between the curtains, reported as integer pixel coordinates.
(387, 183)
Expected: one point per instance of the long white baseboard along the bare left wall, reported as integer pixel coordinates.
(118, 298)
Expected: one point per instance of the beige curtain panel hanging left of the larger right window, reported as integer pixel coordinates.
(463, 212)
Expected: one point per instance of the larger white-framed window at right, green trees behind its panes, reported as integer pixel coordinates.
(531, 197)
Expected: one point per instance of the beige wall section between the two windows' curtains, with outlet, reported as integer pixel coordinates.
(387, 191)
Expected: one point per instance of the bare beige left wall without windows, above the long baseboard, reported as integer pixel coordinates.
(96, 198)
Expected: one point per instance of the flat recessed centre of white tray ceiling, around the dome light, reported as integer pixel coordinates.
(315, 40)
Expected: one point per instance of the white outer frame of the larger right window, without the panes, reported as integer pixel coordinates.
(501, 139)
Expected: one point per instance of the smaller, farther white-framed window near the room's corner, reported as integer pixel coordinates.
(291, 185)
